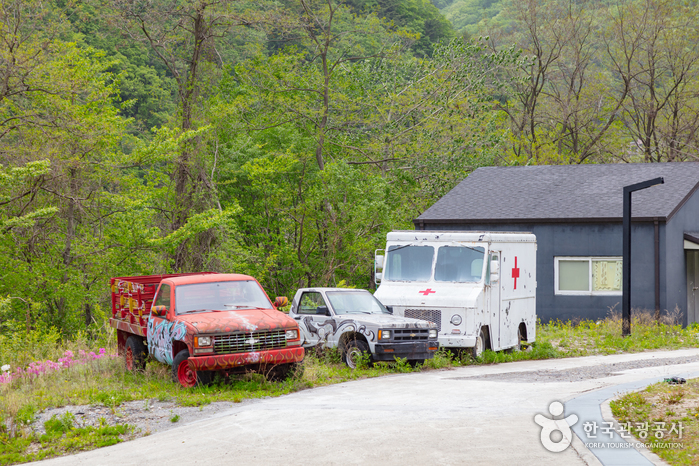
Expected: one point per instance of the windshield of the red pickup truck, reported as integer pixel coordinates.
(220, 296)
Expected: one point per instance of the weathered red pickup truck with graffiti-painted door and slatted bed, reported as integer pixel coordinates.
(202, 323)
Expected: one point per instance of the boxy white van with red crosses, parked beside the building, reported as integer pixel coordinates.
(478, 287)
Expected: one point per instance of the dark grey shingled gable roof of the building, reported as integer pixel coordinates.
(565, 193)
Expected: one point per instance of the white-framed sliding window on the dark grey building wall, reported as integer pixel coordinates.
(588, 275)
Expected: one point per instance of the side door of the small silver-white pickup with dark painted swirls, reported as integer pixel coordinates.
(313, 319)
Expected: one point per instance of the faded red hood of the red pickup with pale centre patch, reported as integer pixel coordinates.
(212, 322)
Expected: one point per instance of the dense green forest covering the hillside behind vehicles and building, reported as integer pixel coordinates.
(284, 139)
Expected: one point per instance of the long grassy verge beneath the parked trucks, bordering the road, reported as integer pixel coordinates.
(104, 382)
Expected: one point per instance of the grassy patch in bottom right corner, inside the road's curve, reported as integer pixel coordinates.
(671, 404)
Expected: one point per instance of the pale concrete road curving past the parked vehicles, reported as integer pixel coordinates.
(471, 415)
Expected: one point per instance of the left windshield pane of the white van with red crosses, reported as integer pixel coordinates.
(409, 263)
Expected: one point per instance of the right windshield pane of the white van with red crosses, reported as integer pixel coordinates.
(459, 264)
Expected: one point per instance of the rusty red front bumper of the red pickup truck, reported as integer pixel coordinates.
(215, 362)
